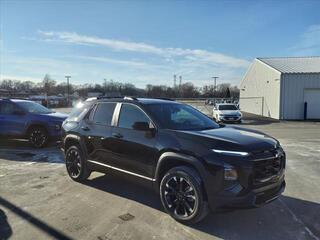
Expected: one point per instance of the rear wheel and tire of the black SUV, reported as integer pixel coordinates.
(76, 164)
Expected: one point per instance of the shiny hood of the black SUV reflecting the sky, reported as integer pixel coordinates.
(235, 139)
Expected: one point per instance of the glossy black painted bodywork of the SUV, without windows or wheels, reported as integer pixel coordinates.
(145, 153)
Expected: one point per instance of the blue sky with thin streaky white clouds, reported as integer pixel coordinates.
(147, 42)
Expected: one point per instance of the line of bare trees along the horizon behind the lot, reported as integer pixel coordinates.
(186, 90)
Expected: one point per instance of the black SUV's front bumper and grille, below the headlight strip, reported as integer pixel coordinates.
(250, 189)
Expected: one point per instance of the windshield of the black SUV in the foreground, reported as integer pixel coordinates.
(179, 117)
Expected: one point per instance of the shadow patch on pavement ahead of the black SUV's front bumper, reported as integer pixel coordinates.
(285, 218)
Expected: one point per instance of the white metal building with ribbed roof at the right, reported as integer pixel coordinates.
(279, 87)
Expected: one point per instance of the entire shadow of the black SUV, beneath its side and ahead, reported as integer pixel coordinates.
(281, 219)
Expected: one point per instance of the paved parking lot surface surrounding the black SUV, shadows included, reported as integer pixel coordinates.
(39, 201)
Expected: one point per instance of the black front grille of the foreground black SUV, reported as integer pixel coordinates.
(266, 169)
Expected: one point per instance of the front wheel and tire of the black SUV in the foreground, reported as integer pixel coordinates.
(182, 195)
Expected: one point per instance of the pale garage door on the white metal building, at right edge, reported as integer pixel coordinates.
(312, 97)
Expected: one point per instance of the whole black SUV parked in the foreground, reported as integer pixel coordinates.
(193, 162)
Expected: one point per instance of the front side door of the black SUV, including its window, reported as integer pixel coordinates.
(133, 150)
